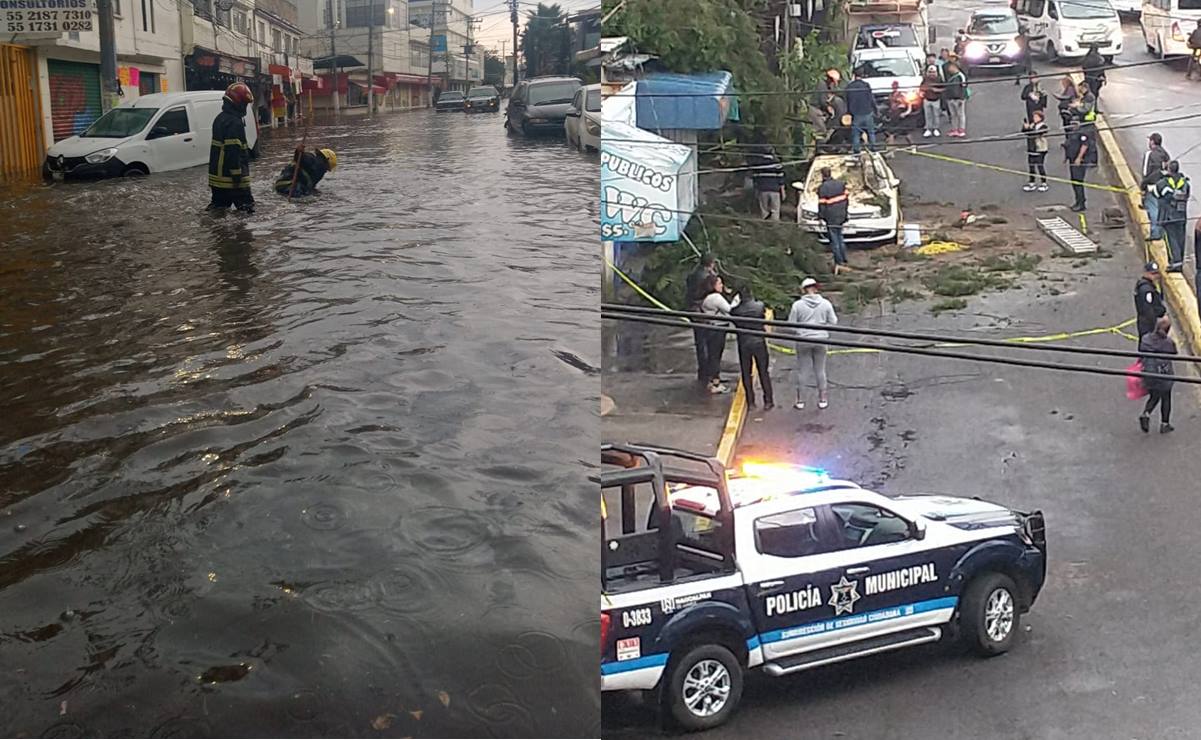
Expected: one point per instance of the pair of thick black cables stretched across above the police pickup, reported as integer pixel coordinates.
(910, 350)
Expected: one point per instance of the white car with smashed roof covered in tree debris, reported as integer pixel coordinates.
(874, 210)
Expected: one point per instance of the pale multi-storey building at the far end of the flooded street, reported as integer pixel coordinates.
(458, 62)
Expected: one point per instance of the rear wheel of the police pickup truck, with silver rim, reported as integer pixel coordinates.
(703, 688)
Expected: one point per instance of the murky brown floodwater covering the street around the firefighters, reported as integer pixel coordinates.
(319, 472)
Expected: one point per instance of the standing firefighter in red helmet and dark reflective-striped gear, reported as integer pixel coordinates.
(230, 154)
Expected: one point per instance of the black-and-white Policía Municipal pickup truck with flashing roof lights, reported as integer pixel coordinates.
(779, 568)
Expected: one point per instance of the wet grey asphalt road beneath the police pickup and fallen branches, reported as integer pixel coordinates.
(1107, 652)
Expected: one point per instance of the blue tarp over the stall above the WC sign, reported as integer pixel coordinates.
(703, 102)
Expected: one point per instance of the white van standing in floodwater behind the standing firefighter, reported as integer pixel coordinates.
(156, 133)
